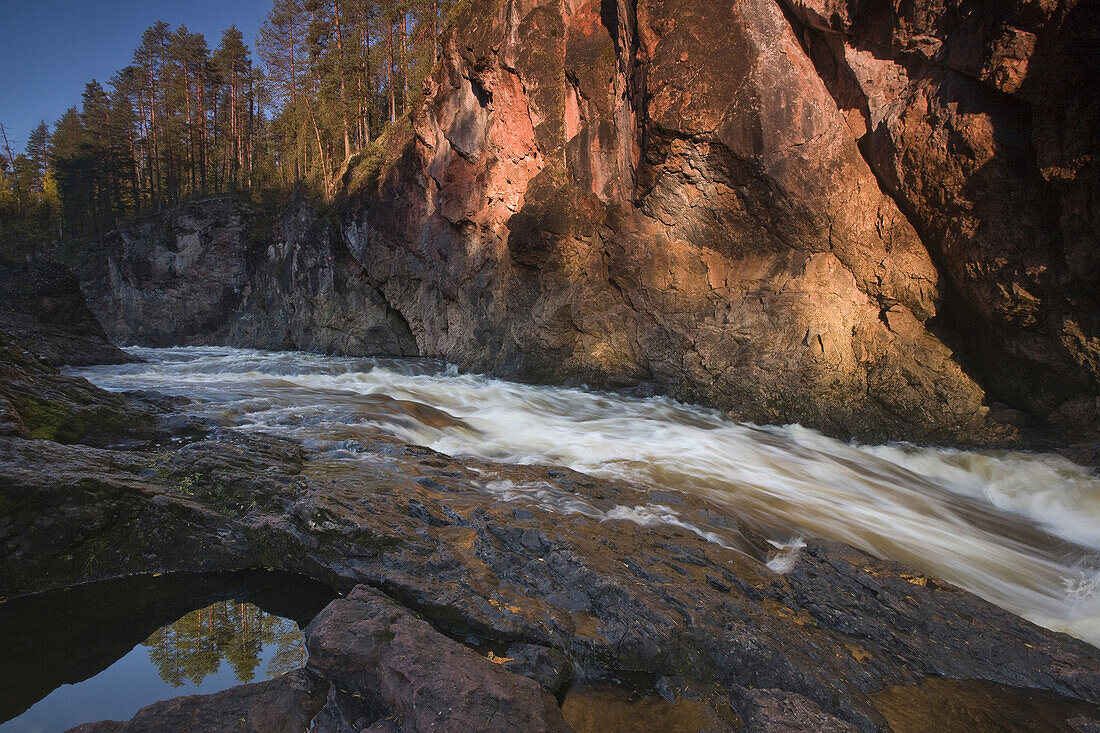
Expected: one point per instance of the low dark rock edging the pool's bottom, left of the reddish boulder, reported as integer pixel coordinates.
(285, 705)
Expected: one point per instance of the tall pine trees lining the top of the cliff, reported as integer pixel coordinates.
(183, 122)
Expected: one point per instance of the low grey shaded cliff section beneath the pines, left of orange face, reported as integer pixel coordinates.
(217, 272)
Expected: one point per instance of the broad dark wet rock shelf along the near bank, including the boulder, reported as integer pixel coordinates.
(464, 606)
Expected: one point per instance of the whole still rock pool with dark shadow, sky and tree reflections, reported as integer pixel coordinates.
(104, 652)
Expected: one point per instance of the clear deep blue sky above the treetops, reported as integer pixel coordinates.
(51, 49)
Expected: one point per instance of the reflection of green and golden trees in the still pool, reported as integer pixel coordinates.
(194, 647)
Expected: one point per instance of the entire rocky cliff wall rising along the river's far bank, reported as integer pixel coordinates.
(871, 221)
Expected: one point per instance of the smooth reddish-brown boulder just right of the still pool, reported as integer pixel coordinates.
(395, 665)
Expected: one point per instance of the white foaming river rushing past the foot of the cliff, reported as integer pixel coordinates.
(1021, 530)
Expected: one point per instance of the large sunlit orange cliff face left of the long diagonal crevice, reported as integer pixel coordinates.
(659, 194)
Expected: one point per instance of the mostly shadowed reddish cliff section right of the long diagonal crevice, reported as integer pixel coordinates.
(976, 118)
